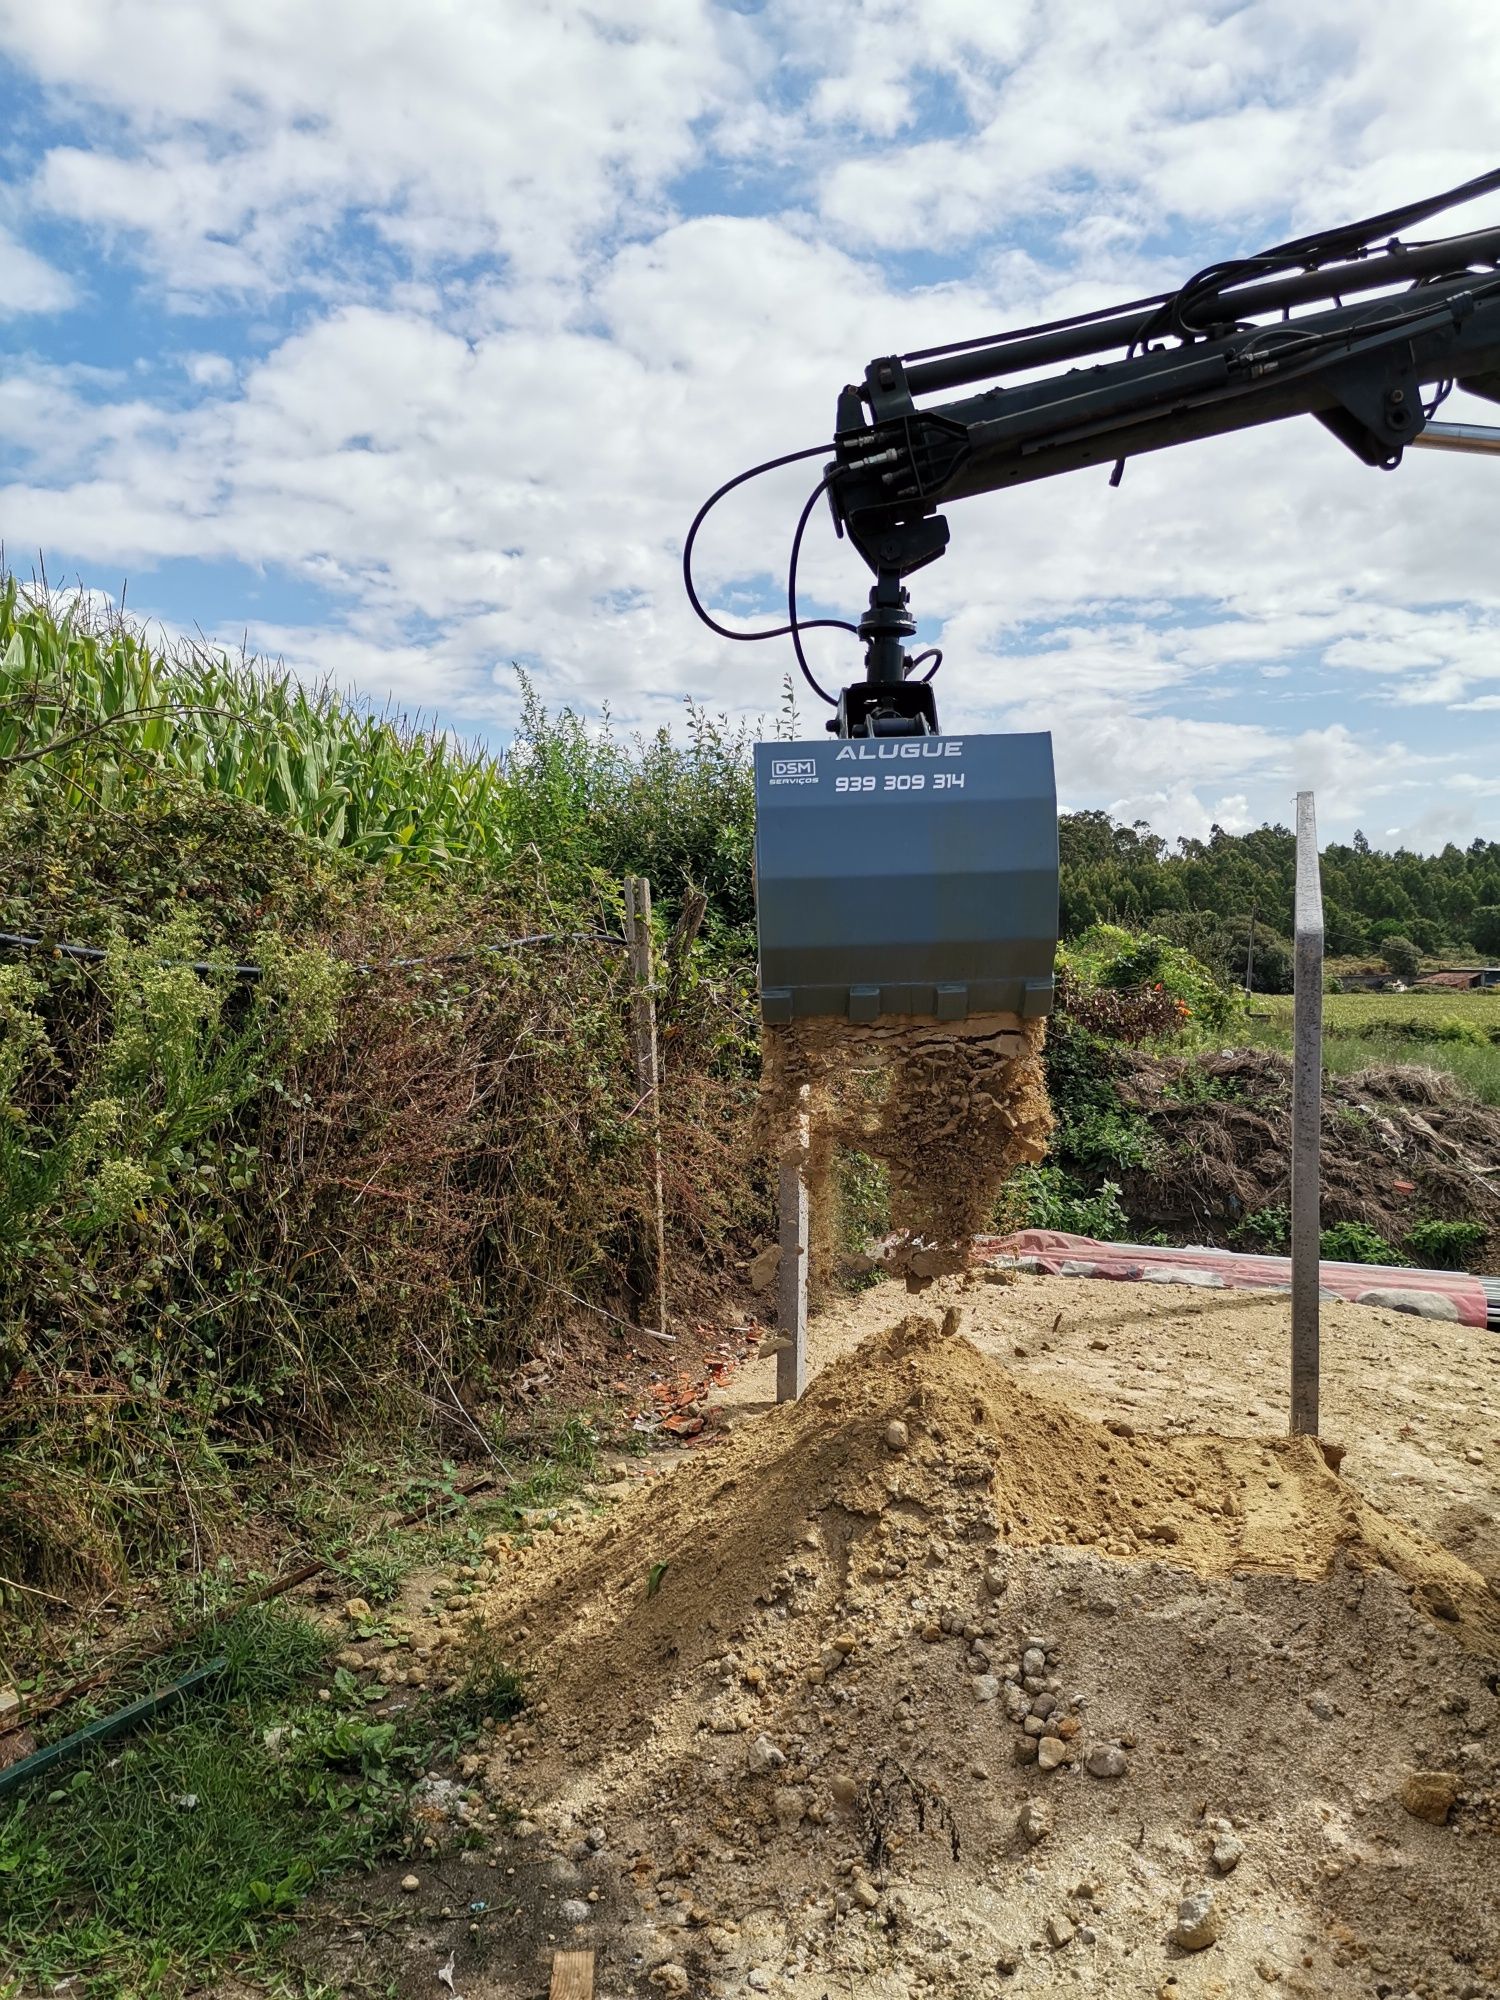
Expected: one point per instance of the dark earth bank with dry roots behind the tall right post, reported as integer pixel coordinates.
(1225, 1145)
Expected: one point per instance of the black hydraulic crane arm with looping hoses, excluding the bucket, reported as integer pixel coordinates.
(1355, 327)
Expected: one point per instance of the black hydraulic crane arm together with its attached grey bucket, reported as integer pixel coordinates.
(921, 877)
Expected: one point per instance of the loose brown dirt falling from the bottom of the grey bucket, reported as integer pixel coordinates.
(947, 1107)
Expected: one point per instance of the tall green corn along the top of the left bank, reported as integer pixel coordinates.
(95, 703)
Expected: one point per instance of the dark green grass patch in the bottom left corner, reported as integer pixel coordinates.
(191, 1845)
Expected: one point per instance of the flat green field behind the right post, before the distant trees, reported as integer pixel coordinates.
(1445, 1031)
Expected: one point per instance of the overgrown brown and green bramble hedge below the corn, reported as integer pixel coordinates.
(327, 1201)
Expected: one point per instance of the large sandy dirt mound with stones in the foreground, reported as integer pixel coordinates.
(925, 1679)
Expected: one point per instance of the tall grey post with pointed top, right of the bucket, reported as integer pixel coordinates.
(1307, 1119)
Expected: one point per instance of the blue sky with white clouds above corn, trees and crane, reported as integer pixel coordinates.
(405, 341)
